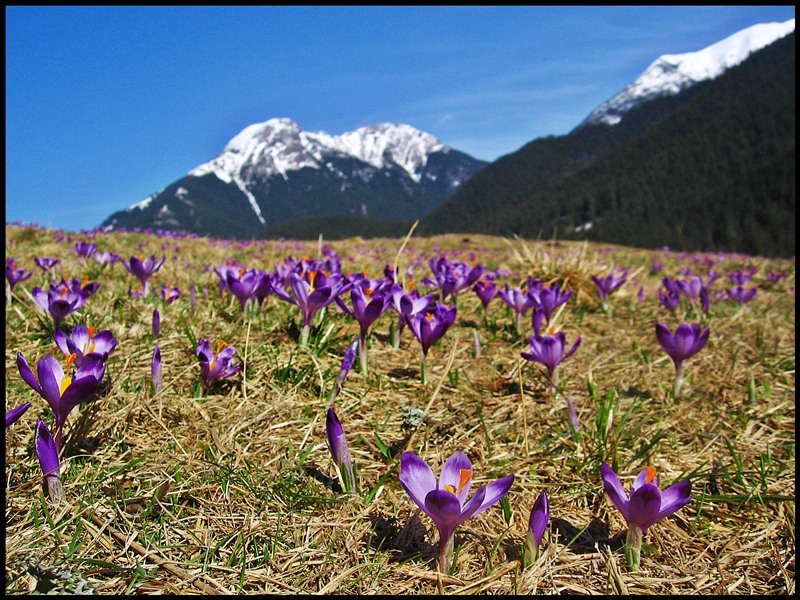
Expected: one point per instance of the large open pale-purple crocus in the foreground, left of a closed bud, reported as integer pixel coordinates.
(445, 501)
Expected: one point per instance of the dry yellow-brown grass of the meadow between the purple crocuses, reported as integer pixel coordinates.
(231, 488)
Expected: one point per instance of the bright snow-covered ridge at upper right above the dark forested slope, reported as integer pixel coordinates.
(671, 73)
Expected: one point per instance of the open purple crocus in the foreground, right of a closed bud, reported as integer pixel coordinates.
(646, 506)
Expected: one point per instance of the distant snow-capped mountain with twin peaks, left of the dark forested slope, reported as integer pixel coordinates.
(275, 171)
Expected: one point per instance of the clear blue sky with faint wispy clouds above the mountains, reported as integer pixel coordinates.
(106, 105)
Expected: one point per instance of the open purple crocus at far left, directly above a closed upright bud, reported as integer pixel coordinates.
(63, 391)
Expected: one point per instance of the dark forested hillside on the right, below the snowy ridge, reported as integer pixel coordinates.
(711, 168)
